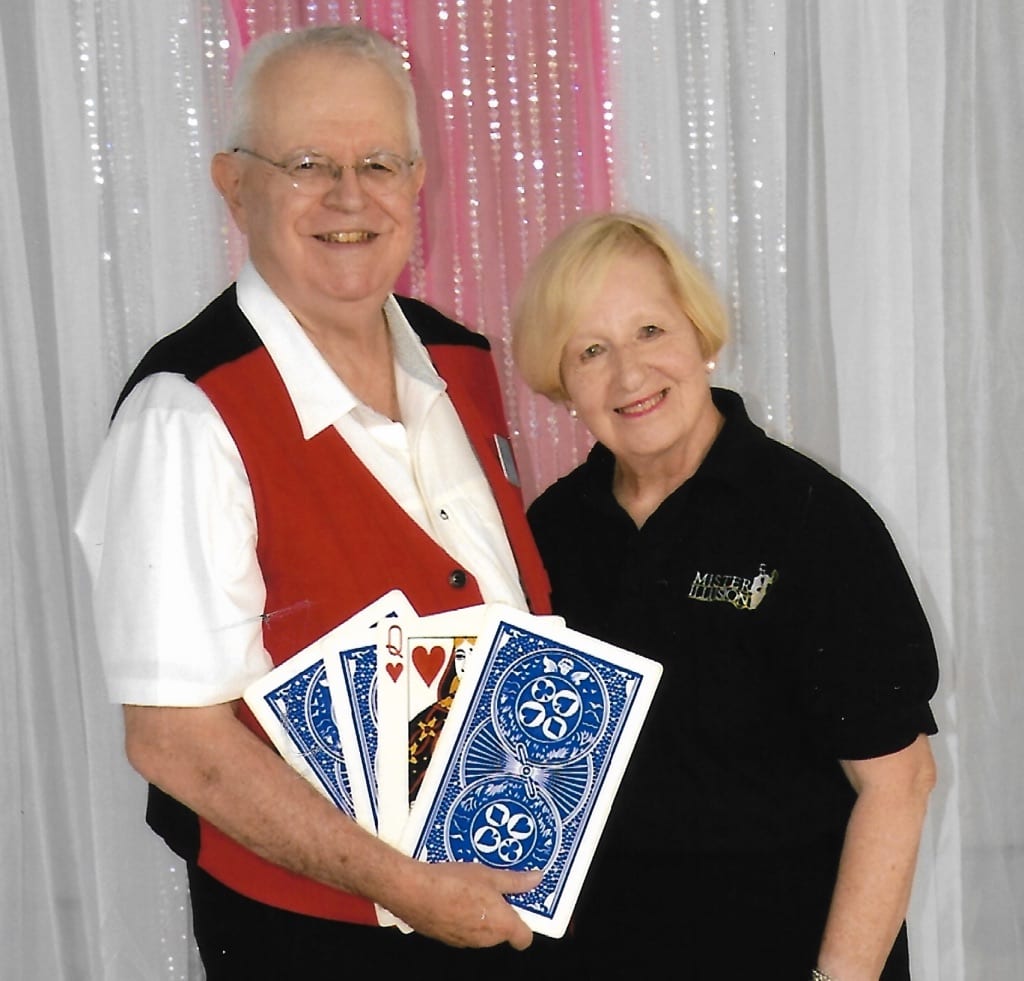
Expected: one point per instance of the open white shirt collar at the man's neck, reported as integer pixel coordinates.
(319, 396)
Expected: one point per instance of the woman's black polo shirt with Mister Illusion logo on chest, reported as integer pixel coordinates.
(789, 629)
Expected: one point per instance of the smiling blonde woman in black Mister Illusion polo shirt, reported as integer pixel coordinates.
(770, 823)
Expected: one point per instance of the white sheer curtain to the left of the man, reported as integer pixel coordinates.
(110, 233)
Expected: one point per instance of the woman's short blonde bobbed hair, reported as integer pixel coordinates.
(569, 273)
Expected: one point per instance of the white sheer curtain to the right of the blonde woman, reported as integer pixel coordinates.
(848, 172)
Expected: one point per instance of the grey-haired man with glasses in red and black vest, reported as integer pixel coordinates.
(307, 444)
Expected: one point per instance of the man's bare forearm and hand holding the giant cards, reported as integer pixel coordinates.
(207, 759)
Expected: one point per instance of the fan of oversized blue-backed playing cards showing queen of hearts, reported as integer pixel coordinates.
(481, 735)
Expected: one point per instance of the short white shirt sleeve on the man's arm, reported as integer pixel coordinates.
(168, 530)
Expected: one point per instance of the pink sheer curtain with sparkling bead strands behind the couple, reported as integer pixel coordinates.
(514, 105)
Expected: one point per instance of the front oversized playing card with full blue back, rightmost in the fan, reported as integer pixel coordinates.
(533, 752)
